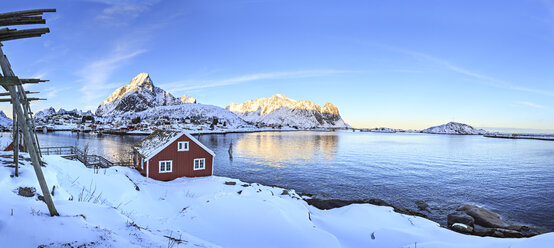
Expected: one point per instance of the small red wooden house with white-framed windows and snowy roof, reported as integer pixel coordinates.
(166, 155)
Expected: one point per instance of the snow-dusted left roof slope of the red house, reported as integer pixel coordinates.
(150, 145)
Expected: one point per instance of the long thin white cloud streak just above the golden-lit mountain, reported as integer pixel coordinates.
(196, 85)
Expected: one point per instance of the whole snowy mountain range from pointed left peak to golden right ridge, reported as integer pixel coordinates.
(141, 98)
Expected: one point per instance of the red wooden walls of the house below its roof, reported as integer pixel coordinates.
(183, 161)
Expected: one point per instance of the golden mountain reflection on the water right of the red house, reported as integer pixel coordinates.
(284, 149)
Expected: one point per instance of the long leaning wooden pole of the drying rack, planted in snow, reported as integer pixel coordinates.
(25, 123)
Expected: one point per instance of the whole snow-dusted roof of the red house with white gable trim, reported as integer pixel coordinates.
(159, 140)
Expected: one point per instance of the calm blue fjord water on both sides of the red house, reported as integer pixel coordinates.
(513, 177)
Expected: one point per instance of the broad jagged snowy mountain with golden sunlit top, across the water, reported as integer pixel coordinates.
(281, 110)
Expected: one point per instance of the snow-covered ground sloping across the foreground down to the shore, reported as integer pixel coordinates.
(117, 207)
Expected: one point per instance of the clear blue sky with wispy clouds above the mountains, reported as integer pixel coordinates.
(401, 64)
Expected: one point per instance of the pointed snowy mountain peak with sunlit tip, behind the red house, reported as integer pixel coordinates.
(139, 95)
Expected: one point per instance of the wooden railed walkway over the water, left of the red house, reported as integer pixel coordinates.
(72, 152)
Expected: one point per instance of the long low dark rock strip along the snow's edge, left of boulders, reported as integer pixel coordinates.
(336, 203)
